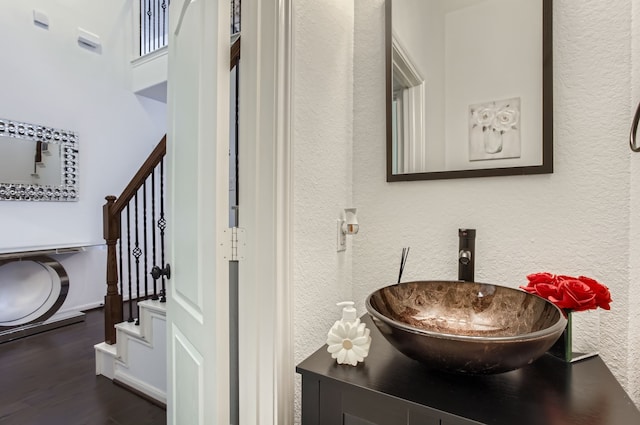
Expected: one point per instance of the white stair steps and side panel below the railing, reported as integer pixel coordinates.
(138, 358)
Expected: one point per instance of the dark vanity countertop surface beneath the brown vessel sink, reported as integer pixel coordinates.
(549, 391)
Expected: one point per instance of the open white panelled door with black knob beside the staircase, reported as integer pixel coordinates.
(198, 181)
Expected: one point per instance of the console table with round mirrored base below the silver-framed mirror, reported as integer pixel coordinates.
(32, 306)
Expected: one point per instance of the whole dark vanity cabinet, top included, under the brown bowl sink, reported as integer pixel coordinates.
(391, 389)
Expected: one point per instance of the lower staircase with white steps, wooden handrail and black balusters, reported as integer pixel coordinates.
(134, 351)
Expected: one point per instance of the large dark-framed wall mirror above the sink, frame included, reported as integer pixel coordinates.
(469, 88)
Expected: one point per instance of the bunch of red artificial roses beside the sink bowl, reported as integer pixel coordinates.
(568, 292)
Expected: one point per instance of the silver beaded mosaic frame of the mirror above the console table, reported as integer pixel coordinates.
(68, 189)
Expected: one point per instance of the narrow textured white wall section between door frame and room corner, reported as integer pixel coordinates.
(322, 129)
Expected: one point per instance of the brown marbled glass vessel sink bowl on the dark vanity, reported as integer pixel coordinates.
(466, 327)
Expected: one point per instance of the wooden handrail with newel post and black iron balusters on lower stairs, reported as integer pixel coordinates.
(134, 231)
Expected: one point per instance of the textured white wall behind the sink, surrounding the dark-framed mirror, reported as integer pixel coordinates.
(579, 220)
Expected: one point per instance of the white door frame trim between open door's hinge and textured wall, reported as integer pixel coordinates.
(266, 211)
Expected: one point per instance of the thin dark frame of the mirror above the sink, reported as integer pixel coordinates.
(547, 112)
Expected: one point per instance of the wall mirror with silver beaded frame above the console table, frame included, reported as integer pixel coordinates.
(37, 163)
